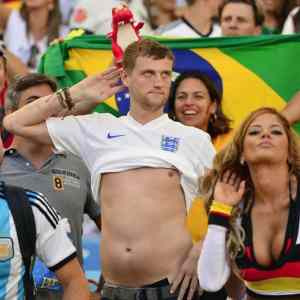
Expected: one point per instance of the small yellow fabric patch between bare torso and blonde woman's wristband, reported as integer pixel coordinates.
(197, 220)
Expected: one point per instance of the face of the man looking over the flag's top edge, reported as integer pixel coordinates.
(238, 19)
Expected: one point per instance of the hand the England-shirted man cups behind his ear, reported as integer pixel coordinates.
(97, 88)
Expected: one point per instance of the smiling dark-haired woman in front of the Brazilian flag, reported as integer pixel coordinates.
(195, 101)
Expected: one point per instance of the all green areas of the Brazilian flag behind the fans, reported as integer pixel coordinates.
(271, 57)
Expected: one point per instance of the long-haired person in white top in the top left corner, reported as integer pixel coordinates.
(29, 31)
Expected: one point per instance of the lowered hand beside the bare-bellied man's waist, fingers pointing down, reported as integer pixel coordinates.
(186, 279)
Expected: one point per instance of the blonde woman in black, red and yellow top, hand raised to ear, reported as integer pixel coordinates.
(252, 194)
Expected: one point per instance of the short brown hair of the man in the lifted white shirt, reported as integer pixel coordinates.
(145, 48)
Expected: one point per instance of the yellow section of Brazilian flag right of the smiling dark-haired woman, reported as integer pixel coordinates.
(236, 105)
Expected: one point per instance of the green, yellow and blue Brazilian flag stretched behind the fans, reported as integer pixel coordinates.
(250, 71)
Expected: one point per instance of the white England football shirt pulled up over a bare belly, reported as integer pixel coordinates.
(109, 144)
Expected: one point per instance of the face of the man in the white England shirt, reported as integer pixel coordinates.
(149, 82)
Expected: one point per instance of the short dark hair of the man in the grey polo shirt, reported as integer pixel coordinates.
(25, 82)
